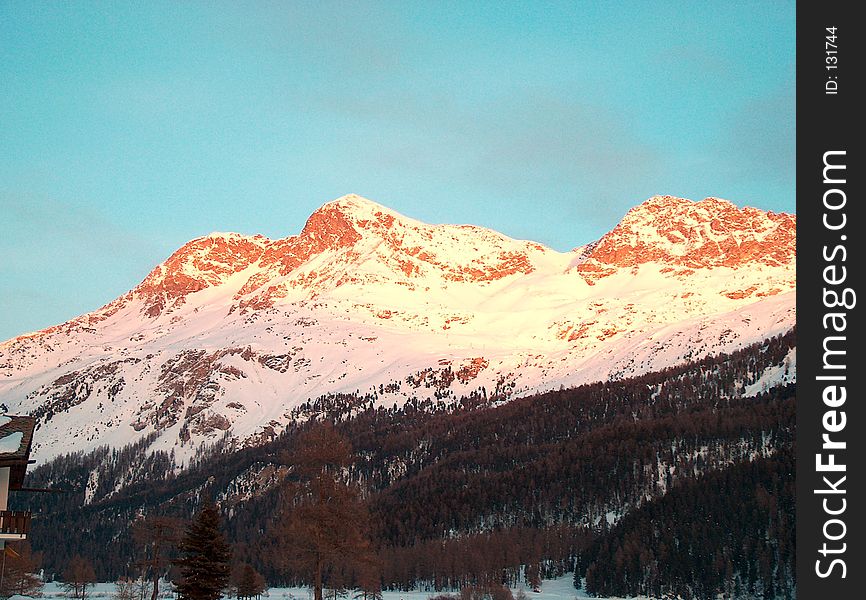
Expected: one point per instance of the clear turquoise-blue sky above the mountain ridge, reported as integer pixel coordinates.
(128, 128)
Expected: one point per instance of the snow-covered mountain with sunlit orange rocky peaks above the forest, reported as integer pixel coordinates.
(232, 332)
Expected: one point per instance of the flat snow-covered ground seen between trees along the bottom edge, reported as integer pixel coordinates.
(553, 589)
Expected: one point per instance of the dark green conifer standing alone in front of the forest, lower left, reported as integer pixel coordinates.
(204, 561)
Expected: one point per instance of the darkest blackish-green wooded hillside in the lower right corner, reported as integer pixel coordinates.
(730, 532)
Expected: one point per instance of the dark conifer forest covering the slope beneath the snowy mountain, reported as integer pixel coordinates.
(668, 483)
